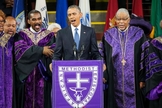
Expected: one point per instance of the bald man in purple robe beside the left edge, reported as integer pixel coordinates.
(6, 62)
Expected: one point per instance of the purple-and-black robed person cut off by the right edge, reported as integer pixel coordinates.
(154, 73)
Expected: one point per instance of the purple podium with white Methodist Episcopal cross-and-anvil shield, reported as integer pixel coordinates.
(77, 84)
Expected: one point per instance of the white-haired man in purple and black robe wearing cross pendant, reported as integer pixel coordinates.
(122, 47)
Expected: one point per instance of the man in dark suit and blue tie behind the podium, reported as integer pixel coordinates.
(67, 48)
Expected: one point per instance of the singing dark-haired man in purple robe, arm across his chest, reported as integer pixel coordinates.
(33, 52)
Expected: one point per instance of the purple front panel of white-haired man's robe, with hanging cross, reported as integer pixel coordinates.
(123, 61)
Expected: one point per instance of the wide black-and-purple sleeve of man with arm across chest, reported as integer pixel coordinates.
(27, 57)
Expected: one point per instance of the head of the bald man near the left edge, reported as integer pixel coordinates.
(10, 25)
